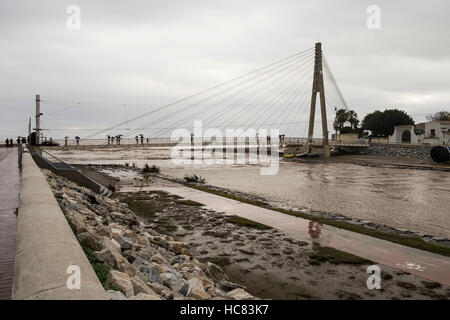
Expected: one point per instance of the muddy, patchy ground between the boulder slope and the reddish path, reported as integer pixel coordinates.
(267, 262)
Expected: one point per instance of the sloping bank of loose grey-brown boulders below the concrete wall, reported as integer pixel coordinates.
(140, 263)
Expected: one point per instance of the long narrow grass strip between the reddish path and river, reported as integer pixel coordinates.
(413, 242)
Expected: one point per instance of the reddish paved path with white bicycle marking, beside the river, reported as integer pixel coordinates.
(418, 262)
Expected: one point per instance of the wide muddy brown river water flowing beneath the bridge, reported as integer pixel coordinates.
(417, 200)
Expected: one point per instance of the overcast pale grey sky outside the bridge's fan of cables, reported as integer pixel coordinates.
(148, 53)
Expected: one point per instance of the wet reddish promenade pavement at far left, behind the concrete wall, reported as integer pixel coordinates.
(9, 201)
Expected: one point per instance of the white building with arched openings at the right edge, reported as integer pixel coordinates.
(432, 133)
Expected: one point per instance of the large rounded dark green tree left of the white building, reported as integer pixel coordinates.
(382, 123)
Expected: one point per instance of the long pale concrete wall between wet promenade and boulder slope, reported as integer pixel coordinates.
(46, 246)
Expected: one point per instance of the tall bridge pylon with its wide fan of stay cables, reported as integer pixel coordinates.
(281, 95)
